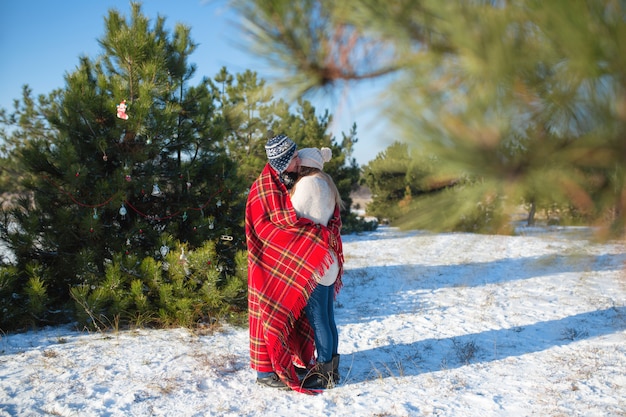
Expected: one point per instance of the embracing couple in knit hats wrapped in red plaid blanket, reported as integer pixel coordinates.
(295, 263)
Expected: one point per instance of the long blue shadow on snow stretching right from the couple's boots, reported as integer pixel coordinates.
(431, 355)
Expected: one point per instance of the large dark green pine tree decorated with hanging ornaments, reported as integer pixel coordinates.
(128, 164)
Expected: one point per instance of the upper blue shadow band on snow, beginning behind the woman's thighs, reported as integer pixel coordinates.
(379, 291)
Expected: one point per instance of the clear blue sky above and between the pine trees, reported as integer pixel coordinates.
(42, 40)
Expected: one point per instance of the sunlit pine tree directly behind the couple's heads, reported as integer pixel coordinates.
(249, 111)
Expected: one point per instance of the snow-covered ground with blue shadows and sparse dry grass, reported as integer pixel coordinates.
(430, 325)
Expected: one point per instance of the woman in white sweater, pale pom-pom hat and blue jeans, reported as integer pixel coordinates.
(315, 197)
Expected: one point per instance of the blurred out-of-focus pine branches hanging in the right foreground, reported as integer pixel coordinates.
(524, 100)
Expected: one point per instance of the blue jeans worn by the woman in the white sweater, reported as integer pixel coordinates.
(321, 313)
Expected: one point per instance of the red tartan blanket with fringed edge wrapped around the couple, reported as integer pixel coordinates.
(284, 256)
